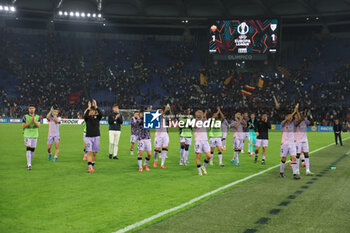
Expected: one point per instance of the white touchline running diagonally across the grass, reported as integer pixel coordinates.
(165, 212)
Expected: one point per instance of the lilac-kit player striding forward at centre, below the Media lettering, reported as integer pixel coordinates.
(201, 142)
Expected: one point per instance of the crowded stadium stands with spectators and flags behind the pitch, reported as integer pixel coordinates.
(66, 71)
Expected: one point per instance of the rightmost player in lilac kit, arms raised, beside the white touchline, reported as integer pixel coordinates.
(301, 140)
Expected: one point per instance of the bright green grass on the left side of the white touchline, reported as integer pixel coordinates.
(63, 197)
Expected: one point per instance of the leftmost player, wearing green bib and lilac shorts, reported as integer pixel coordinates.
(30, 127)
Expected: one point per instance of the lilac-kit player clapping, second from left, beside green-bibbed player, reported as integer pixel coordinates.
(54, 132)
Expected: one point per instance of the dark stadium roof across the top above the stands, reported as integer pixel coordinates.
(195, 11)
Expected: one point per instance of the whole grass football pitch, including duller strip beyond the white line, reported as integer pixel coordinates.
(63, 197)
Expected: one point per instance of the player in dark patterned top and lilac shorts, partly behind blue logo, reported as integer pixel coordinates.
(144, 143)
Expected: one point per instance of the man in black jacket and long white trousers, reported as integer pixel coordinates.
(115, 120)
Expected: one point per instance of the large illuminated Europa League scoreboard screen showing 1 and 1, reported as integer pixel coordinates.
(244, 37)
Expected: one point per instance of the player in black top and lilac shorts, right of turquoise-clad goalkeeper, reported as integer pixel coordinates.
(262, 131)
